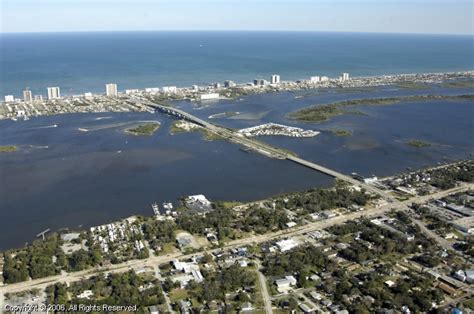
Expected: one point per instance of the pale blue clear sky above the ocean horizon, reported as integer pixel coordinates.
(392, 16)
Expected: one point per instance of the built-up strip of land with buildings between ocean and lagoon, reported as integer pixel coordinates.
(18, 109)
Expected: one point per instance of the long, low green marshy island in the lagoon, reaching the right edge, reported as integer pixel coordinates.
(325, 112)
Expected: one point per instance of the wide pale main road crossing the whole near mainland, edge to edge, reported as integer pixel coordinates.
(154, 260)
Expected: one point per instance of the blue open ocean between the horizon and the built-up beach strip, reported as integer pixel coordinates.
(82, 62)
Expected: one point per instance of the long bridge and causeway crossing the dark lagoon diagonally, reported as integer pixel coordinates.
(257, 146)
